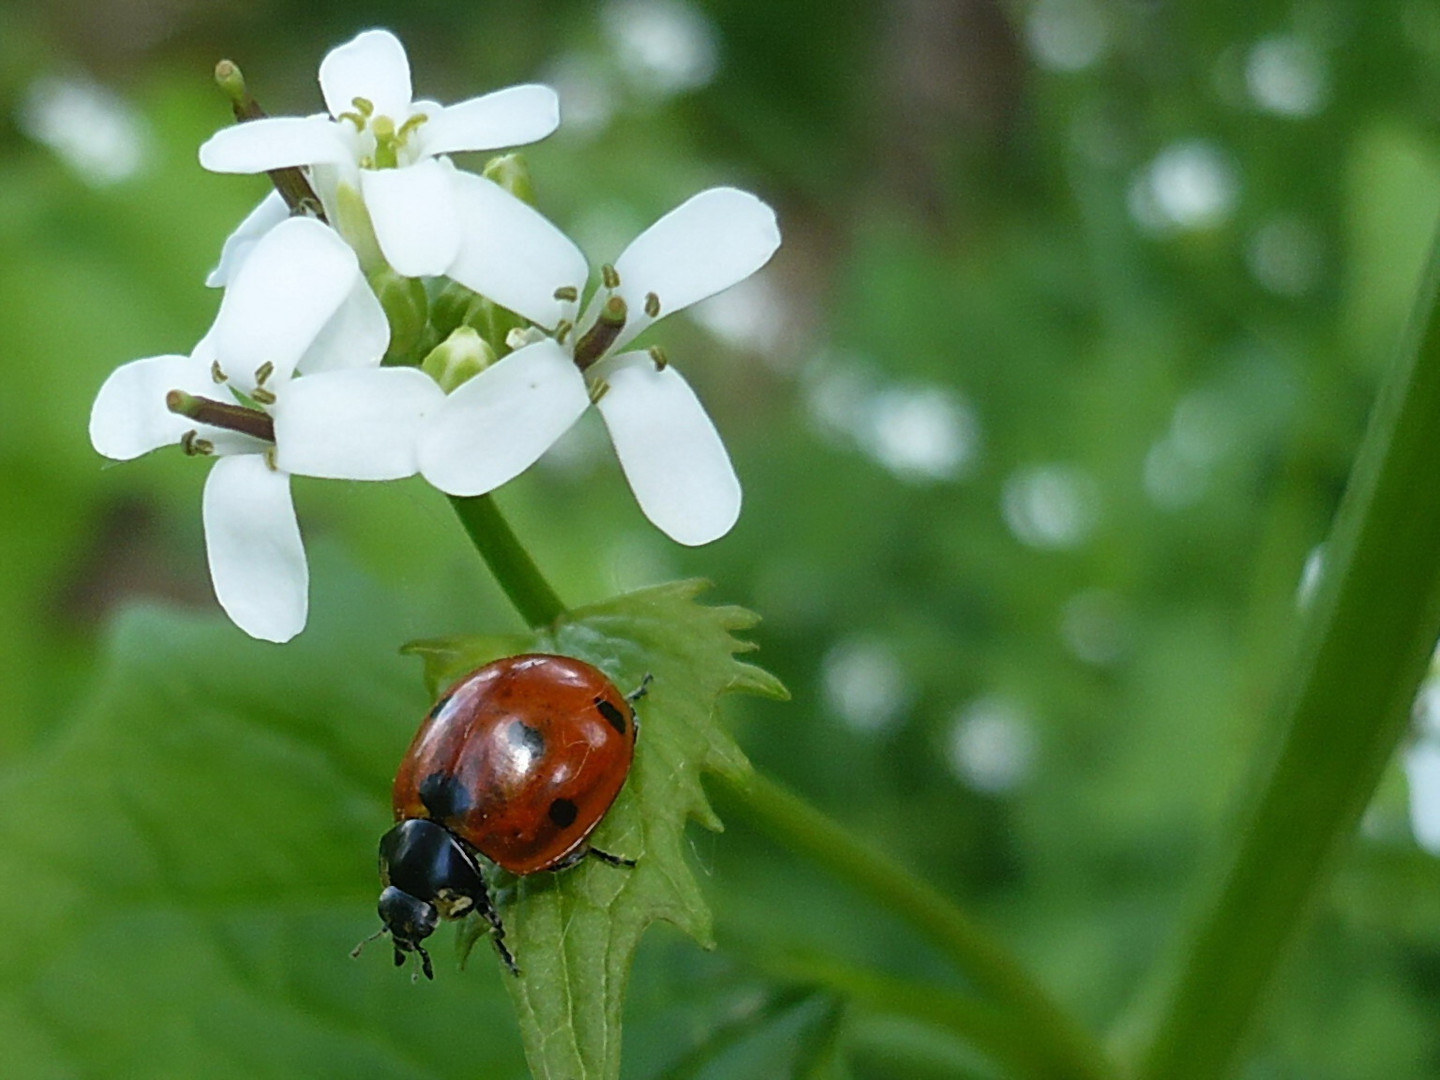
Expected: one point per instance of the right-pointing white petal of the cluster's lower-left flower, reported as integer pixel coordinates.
(355, 426)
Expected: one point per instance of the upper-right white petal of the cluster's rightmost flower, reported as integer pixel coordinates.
(705, 246)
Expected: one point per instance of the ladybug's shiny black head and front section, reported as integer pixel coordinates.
(428, 876)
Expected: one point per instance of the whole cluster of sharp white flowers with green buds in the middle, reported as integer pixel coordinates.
(372, 234)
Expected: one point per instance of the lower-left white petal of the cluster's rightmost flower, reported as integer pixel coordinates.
(498, 426)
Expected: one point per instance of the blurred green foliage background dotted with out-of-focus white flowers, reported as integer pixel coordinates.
(1040, 413)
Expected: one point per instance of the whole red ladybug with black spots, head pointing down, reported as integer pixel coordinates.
(519, 762)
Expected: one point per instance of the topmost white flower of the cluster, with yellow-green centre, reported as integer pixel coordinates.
(387, 146)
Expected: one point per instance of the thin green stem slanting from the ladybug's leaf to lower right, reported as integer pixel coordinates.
(803, 829)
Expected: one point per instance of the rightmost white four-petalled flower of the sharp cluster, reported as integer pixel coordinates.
(502, 421)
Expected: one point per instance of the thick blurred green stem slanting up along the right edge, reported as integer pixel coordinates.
(1364, 652)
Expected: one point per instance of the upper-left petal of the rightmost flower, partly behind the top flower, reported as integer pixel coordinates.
(512, 254)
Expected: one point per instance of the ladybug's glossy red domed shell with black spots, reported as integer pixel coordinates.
(522, 760)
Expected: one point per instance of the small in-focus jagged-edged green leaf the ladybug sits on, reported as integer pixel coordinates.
(575, 932)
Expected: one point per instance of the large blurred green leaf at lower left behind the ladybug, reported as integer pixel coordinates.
(191, 859)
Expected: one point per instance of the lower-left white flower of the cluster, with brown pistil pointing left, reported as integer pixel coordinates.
(299, 303)
